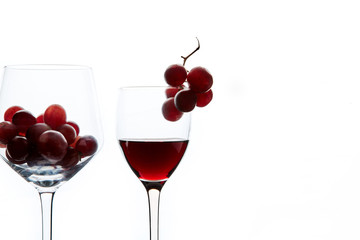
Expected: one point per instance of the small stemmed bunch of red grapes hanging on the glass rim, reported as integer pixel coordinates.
(181, 98)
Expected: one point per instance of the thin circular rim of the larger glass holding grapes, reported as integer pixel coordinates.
(47, 67)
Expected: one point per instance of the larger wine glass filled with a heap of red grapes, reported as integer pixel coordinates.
(51, 127)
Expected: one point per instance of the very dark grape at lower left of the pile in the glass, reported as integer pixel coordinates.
(18, 148)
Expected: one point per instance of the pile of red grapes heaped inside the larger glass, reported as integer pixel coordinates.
(48, 139)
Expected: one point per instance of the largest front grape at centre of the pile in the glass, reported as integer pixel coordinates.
(52, 145)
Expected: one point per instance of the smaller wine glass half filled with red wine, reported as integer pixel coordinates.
(152, 145)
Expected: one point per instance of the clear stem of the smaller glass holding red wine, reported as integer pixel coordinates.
(154, 199)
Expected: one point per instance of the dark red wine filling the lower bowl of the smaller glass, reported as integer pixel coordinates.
(153, 160)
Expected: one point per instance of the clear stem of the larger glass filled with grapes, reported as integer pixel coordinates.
(46, 199)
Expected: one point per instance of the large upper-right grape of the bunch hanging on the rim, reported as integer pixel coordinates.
(199, 79)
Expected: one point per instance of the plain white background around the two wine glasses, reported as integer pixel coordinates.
(276, 155)
